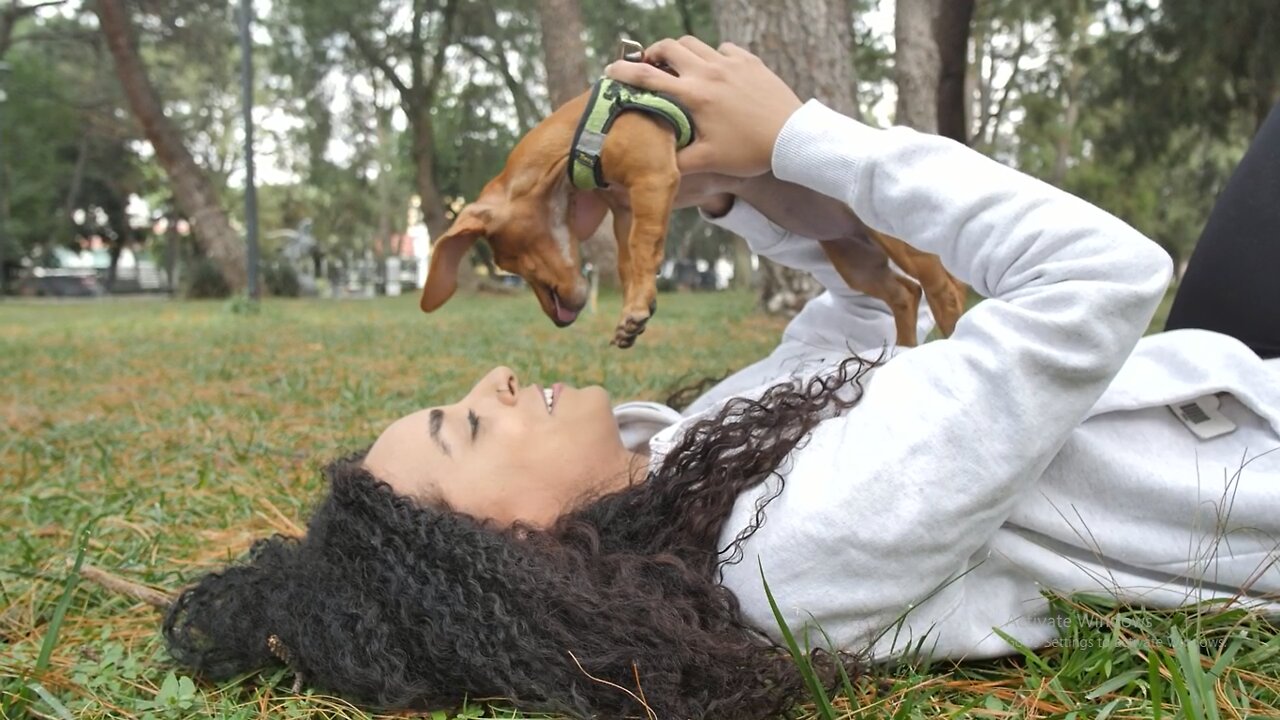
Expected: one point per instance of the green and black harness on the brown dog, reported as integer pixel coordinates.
(609, 101)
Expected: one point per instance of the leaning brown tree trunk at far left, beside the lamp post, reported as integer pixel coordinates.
(191, 189)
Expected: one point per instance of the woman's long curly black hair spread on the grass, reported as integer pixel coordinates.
(612, 612)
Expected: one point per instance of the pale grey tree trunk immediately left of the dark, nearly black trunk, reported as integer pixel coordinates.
(917, 66)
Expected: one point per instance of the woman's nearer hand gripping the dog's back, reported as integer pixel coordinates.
(738, 104)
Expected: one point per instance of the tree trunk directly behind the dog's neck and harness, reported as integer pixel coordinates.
(565, 56)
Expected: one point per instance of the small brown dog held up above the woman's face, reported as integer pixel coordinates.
(534, 220)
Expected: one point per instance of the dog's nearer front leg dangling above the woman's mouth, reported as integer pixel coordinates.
(652, 199)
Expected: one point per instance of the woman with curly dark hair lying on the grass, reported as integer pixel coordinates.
(536, 545)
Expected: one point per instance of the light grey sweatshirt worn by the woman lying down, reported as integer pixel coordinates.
(1034, 450)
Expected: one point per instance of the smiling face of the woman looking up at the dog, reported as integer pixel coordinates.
(505, 454)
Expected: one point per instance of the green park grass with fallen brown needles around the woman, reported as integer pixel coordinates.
(157, 440)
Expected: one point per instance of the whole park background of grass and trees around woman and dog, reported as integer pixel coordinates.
(171, 413)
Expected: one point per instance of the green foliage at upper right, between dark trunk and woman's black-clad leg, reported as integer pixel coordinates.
(1086, 97)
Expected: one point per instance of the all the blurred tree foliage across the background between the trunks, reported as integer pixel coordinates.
(1137, 106)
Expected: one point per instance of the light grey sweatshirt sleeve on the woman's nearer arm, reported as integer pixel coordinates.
(893, 500)
